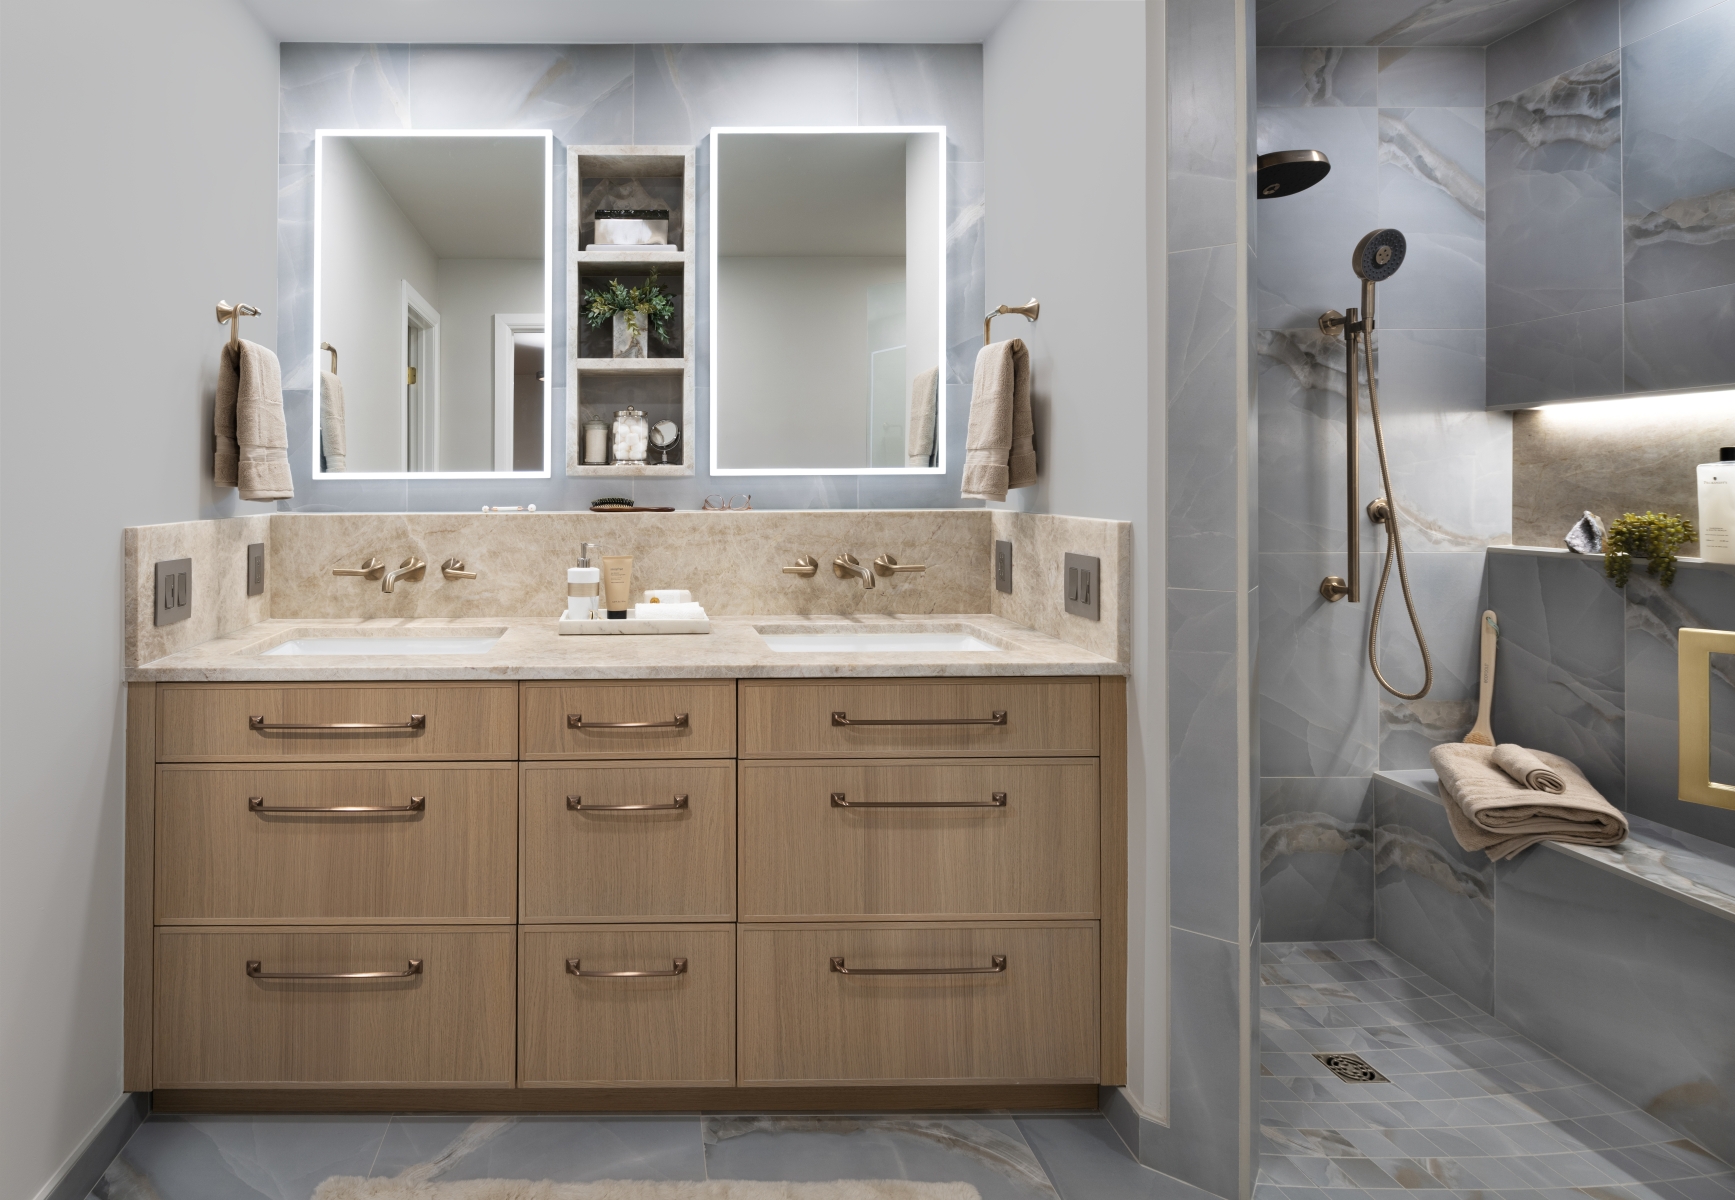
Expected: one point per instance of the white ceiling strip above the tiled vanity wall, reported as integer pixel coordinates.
(606, 22)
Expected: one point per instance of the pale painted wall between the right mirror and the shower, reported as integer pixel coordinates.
(1064, 112)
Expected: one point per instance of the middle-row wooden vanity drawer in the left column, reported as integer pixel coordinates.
(247, 844)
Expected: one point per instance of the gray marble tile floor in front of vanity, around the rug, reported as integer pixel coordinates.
(1025, 1158)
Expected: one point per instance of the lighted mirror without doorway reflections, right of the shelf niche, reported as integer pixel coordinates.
(828, 301)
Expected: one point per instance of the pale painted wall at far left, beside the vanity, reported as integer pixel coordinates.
(140, 188)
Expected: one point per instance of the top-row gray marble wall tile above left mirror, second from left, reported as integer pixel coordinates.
(582, 93)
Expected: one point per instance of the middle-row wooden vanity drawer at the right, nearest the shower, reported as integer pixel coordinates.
(966, 840)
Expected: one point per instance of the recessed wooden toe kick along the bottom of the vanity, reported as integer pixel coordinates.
(627, 1100)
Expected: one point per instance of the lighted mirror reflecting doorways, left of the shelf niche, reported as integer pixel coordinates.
(433, 287)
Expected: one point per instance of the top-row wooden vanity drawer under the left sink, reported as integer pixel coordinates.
(214, 722)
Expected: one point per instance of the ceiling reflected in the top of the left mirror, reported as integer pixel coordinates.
(469, 197)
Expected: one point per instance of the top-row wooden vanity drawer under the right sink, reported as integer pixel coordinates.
(901, 719)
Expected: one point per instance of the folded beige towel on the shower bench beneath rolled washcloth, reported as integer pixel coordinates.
(1495, 812)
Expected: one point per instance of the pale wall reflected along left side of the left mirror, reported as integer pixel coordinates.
(369, 251)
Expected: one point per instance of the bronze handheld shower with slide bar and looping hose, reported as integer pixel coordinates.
(1375, 261)
